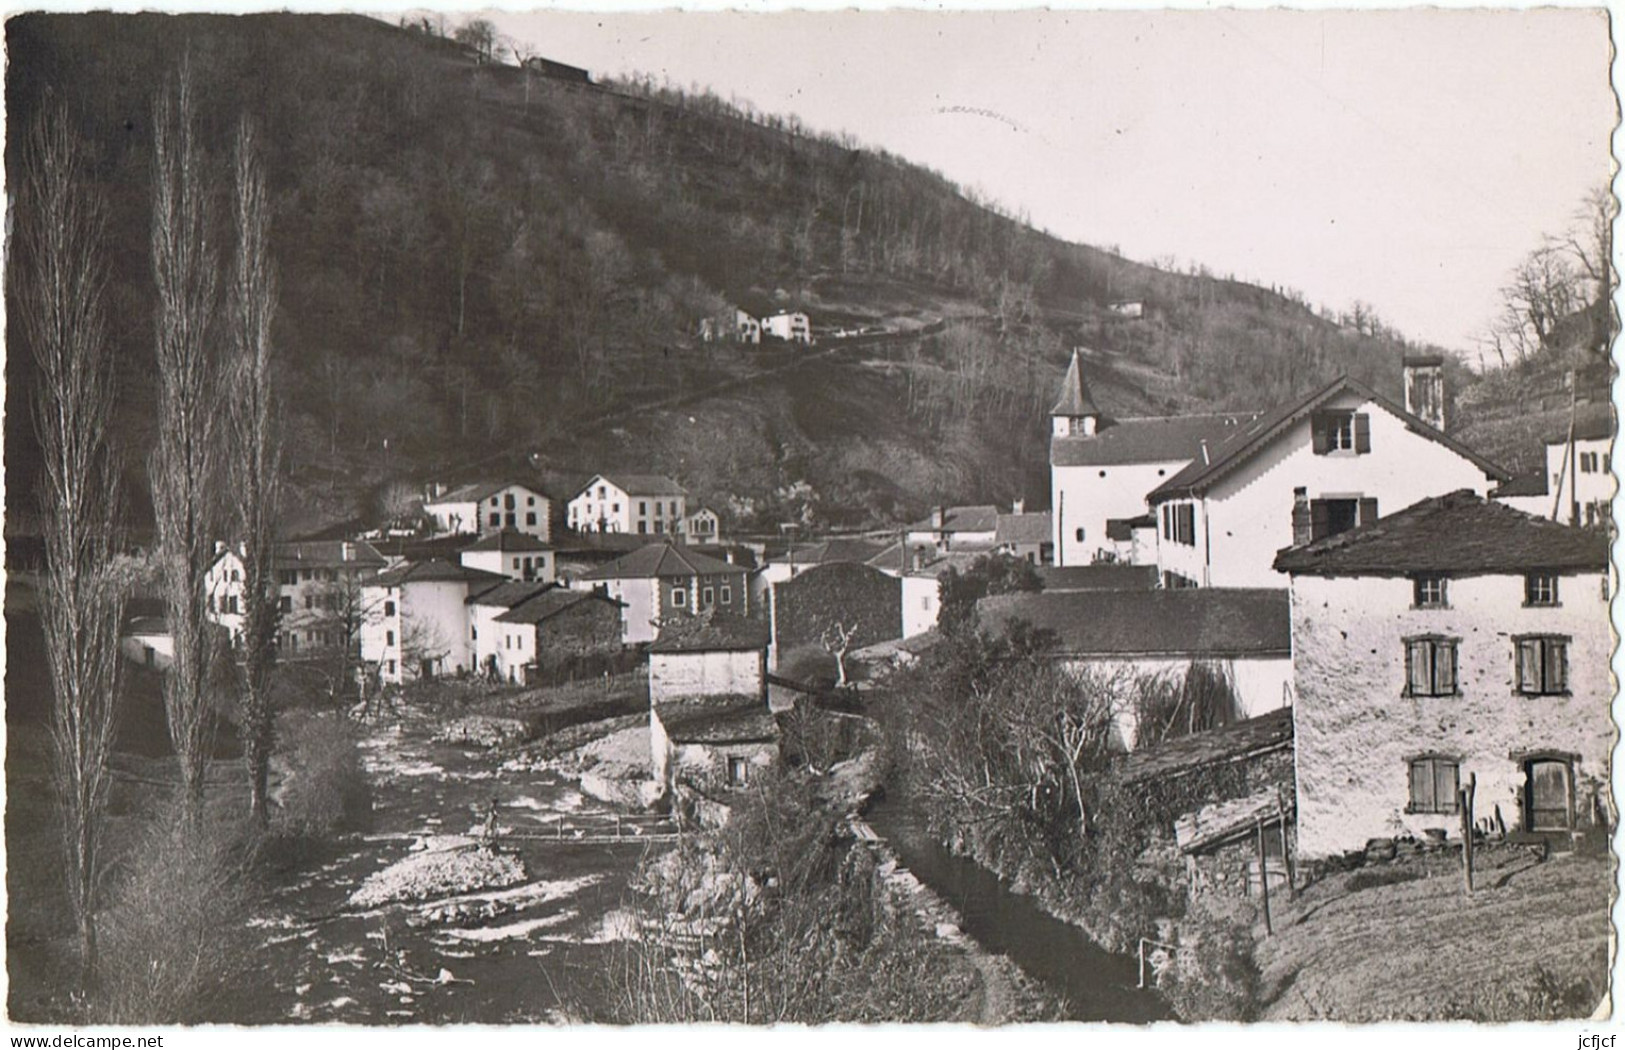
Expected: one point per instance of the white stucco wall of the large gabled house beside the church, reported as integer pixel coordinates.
(1247, 516)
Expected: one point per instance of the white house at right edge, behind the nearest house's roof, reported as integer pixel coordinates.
(1577, 485)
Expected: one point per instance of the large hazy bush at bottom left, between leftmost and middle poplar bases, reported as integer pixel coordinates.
(175, 934)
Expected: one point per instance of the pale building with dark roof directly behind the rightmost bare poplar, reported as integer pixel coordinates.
(318, 586)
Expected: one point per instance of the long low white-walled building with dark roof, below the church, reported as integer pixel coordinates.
(1239, 638)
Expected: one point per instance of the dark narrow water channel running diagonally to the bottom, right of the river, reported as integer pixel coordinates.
(1094, 984)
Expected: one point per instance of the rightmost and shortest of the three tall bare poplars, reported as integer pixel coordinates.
(256, 454)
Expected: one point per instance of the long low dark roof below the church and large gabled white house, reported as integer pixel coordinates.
(1197, 623)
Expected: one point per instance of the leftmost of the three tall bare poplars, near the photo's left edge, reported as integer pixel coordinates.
(61, 303)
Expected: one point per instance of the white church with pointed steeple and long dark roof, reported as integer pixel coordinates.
(1101, 471)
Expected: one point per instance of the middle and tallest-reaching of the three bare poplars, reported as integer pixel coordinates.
(184, 269)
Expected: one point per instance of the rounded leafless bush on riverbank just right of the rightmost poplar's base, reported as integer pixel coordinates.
(327, 791)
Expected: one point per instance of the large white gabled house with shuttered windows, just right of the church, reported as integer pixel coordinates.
(1322, 466)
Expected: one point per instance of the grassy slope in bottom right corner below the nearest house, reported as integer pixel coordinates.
(1525, 944)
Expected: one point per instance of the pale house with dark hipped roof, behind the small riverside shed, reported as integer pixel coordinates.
(667, 581)
